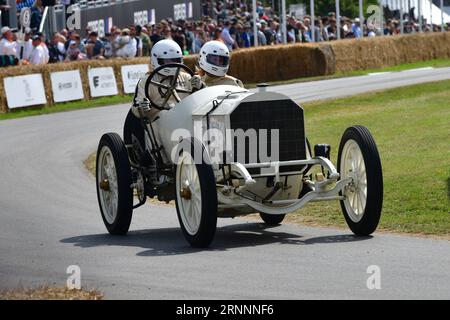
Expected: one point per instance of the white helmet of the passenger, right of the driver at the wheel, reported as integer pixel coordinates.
(214, 58)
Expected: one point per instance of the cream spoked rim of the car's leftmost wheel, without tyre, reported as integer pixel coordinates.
(108, 198)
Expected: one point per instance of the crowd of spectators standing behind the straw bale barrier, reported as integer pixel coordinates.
(230, 21)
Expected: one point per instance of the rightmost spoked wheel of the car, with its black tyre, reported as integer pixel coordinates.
(359, 159)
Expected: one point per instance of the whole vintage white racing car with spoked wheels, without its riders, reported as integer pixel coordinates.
(224, 151)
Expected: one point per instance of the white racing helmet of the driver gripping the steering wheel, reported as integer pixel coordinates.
(164, 52)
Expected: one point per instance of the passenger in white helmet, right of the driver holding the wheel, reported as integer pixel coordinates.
(213, 65)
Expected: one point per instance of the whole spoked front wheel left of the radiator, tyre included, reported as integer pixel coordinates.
(196, 200)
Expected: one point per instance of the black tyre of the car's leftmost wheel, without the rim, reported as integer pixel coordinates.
(121, 222)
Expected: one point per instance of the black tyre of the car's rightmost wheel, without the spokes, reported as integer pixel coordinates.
(374, 192)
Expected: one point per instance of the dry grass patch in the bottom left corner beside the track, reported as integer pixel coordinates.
(47, 293)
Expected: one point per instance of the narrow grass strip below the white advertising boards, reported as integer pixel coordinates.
(68, 106)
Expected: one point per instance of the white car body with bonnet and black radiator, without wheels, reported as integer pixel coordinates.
(190, 117)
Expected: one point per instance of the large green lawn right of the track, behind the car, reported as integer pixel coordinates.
(411, 126)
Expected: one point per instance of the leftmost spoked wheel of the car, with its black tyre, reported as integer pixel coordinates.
(113, 177)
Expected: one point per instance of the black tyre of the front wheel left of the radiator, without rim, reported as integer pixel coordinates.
(204, 236)
